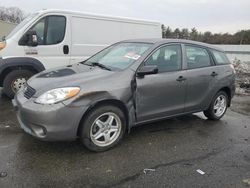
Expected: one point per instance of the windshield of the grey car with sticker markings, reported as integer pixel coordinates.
(119, 56)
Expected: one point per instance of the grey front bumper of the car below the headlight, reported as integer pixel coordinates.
(56, 122)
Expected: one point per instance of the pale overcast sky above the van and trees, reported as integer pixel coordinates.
(212, 15)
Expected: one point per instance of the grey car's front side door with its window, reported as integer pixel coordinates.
(162, 94)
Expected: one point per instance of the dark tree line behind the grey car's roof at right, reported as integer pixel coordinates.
(240, 37)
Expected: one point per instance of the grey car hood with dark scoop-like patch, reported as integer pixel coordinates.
(68, 76)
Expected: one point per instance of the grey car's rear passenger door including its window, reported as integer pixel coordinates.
(201, 77)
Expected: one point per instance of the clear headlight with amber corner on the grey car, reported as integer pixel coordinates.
(57, 95)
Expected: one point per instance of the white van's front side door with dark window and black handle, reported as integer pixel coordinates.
(53, 36)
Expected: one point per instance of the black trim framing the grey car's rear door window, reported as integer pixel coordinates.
(212, 63)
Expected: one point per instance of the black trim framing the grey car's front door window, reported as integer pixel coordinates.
(161, 46)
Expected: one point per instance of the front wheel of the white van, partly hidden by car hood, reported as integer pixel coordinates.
(22, 75)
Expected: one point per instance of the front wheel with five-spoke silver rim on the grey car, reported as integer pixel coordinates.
(90, 128)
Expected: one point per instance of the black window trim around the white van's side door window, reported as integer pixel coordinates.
(46, 28)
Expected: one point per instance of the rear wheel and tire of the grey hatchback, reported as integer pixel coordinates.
(215, 114)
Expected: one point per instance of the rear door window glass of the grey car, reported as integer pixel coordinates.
(197, 57)
